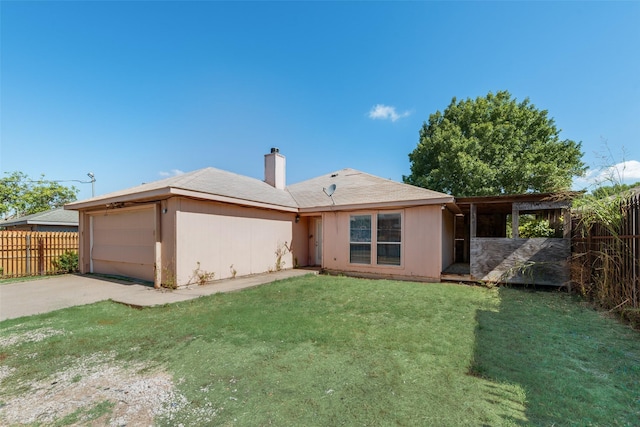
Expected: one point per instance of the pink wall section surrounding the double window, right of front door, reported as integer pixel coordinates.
(422, 243)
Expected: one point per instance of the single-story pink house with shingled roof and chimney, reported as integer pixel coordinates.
(211, 221)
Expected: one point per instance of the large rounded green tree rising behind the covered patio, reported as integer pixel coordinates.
(493, 145)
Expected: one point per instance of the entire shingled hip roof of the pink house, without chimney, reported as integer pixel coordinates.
(353, 189)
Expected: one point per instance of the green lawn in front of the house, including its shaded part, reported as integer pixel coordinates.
(320, 350)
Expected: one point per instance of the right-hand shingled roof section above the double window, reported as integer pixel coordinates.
(358, 189)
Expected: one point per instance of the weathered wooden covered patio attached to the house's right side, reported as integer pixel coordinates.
(488, 246)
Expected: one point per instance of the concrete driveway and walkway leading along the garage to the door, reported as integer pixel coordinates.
(57, 292)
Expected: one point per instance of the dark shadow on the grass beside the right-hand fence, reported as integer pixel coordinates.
(573, 366)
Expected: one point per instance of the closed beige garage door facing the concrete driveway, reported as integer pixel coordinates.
(123, 243)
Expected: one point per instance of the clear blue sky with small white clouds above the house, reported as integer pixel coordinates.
(136, 91)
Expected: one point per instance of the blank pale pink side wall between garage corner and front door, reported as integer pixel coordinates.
(220, 238)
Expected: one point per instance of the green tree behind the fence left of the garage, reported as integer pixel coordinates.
(20, 195)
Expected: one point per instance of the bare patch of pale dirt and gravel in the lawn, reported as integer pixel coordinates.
(135, 398)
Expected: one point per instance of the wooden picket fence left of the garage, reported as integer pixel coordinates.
(32, 253)
